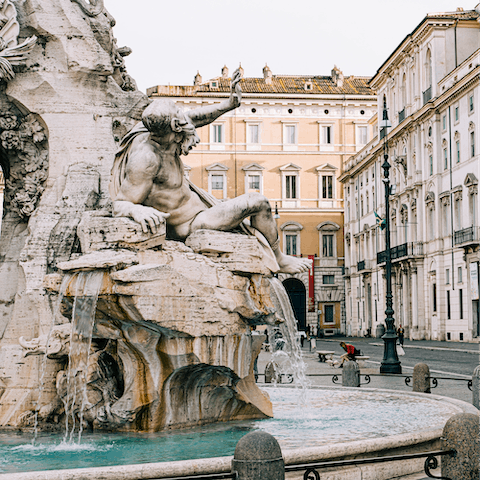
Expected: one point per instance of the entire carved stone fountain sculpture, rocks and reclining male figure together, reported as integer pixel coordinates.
(126, 308)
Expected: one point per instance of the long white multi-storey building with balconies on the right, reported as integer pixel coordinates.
(430, 86)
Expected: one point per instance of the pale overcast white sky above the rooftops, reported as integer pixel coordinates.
(172, 39)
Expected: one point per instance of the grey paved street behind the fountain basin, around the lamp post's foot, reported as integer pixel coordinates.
(445, 359)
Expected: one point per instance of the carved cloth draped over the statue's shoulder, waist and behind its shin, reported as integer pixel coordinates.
(118, 174)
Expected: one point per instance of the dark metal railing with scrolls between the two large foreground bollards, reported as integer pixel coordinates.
(311, 469)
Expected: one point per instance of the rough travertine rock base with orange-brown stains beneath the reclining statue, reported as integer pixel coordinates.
(171, 344)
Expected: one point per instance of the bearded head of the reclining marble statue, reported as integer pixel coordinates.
(162, 117)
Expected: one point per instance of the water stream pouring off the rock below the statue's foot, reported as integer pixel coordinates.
(287, 358)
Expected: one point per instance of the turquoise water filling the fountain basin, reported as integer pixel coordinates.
(330, 416)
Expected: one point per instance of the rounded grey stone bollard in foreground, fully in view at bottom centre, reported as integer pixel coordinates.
(258, 457)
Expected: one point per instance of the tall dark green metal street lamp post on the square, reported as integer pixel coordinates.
(390, 362)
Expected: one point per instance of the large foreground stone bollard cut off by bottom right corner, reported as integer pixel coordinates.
(462, 434)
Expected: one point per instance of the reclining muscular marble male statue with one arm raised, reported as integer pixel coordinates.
(149, 186)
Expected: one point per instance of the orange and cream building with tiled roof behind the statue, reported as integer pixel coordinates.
(288, 140)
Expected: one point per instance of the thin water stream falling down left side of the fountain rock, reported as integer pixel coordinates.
(83, 317)
